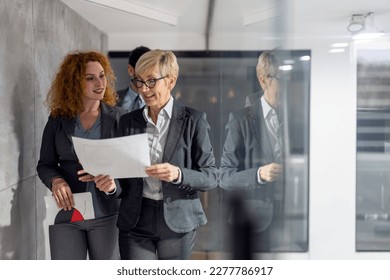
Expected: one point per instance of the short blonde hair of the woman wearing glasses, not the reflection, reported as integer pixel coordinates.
(165, 61)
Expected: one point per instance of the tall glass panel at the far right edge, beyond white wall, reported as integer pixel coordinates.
(373, 150)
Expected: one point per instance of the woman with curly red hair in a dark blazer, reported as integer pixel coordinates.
(81, 101)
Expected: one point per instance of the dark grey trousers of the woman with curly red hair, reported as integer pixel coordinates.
(73, 241)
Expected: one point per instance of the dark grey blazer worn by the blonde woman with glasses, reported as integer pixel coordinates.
(188, 147)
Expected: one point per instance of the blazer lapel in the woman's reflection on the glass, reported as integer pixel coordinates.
(260, 131)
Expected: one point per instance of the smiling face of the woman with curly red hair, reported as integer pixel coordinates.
(95, 82)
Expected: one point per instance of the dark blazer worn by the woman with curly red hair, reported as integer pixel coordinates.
(58, 158)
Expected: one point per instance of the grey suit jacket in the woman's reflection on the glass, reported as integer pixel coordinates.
(247, 147)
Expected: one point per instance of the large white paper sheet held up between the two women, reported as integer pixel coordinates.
(121, 157)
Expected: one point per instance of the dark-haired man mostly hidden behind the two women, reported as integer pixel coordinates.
(128, 98)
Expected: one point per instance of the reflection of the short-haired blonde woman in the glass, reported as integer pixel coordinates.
(252, 155)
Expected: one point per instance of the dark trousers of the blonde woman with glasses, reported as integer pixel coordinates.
(152, 239)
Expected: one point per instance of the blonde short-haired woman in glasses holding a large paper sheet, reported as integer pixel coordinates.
(159, 214)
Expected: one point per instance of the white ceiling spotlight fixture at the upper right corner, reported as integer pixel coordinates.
(362, 26)
